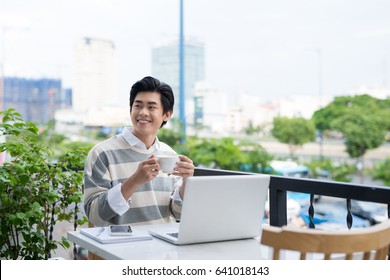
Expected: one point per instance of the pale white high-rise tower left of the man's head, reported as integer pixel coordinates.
(95, 74)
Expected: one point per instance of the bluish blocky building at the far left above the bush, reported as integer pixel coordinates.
(35, 99)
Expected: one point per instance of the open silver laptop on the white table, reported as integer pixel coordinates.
(217, 208)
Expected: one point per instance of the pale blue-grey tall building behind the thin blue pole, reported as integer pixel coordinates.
(165, 66)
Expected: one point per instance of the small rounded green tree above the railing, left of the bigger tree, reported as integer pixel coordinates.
(293, 131)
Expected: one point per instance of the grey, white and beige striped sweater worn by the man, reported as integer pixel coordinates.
(113, 161)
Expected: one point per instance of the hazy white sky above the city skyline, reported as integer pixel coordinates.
(265, 48)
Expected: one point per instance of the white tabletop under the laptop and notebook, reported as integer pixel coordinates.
(156, 249)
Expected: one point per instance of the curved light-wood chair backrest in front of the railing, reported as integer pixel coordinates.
(372, 241)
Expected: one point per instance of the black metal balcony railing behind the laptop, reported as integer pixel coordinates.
(279, 186)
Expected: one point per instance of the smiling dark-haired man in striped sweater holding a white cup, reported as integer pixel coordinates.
(122, 179)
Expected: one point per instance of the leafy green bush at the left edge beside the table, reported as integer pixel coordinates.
(35, 193)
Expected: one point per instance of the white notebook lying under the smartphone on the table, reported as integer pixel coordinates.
(102, 235)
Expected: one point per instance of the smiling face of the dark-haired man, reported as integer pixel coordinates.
(147, 114)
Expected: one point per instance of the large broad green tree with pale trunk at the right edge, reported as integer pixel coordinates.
(363, 120)
